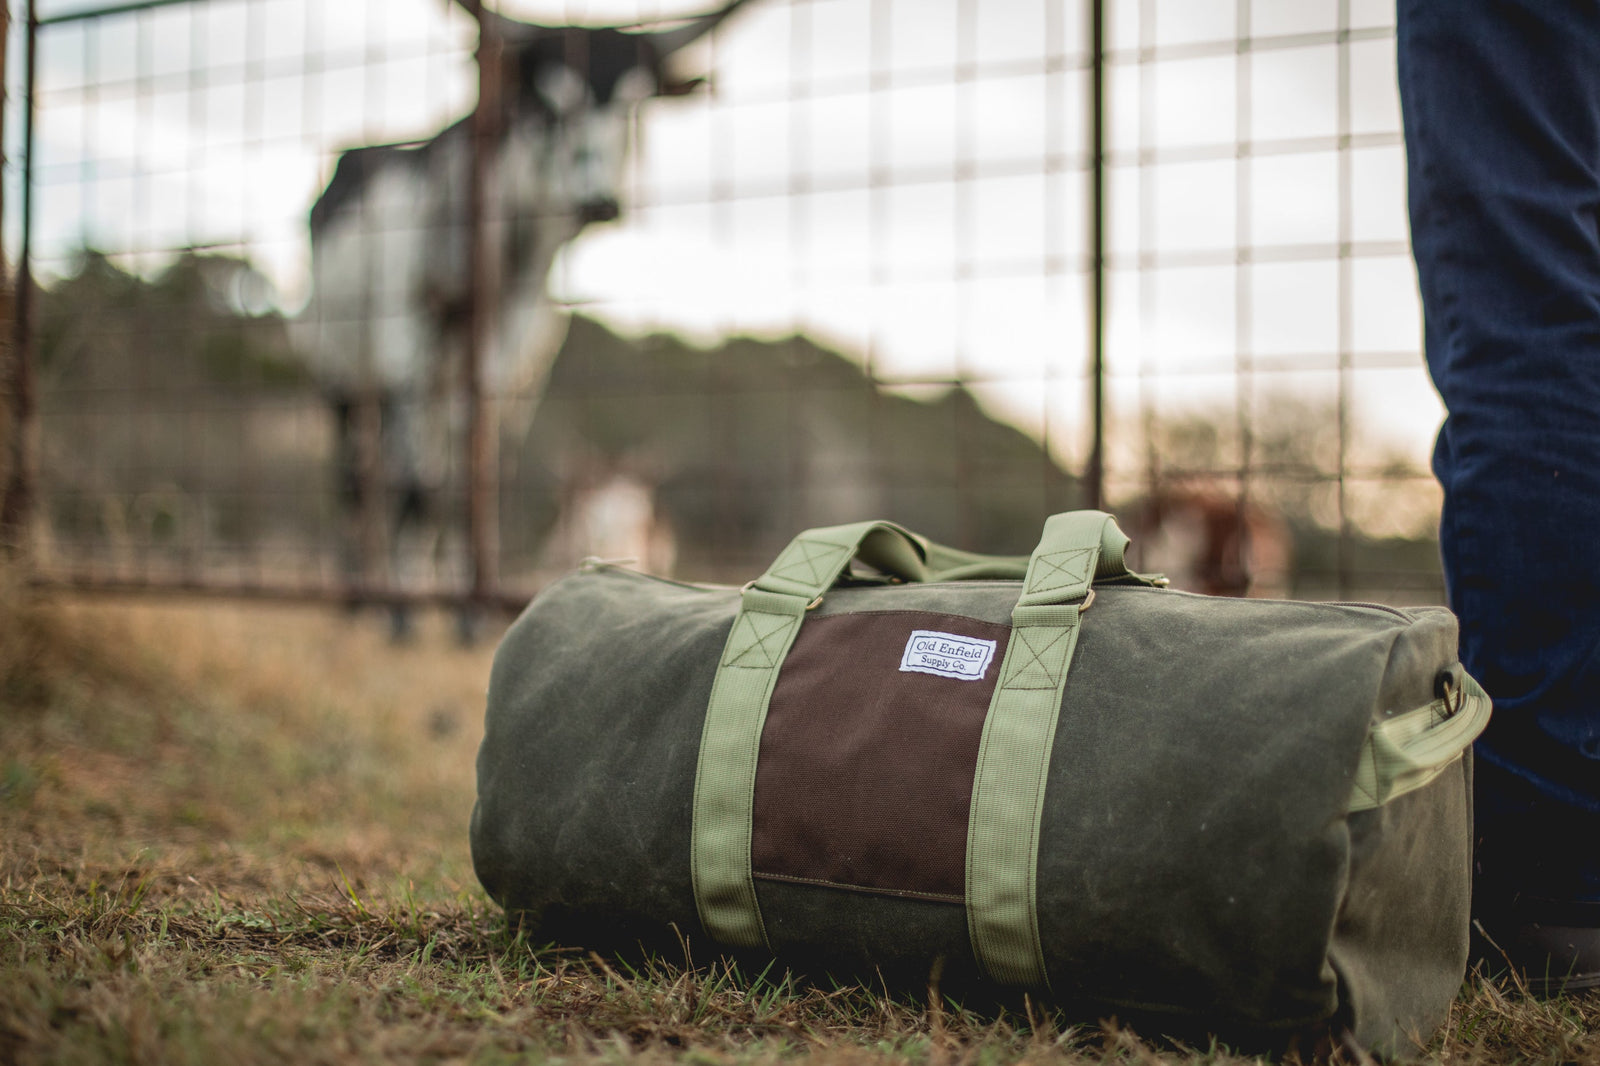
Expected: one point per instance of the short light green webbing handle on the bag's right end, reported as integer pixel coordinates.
(1407, 751)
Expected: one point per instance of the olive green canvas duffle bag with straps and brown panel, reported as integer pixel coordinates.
(1046, 774)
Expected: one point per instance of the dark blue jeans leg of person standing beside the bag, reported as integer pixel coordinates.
(1502, 103)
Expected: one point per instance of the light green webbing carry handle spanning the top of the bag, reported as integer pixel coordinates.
(815, 559)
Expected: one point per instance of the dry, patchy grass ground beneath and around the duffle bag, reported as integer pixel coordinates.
(239, 835)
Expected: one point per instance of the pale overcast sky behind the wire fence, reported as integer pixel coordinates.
(902, 178)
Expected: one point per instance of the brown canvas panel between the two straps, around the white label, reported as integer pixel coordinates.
(866, 771)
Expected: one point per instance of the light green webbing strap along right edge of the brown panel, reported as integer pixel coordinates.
(1014, 759)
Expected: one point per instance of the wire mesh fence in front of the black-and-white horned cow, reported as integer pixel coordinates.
(718, 279)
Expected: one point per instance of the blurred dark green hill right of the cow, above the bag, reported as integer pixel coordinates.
(750, 443)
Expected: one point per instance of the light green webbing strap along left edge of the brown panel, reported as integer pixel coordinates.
(762, 635)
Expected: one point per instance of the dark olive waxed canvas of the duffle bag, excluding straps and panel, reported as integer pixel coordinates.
(1198, 859)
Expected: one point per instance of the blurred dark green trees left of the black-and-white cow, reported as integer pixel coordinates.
(172, 414)
